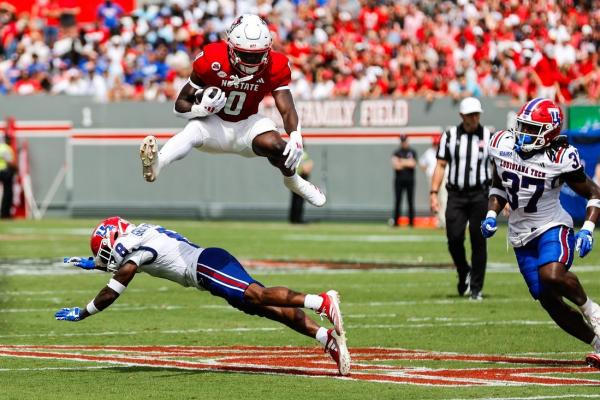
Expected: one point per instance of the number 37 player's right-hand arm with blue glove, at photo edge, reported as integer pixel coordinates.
(585, 187)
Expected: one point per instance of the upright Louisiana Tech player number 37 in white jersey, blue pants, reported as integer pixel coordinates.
(531, 163)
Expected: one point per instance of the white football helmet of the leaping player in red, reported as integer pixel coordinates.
(249, 41)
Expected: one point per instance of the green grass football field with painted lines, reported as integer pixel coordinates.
(483, 349)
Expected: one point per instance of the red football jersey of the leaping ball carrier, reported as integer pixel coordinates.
(243, 96)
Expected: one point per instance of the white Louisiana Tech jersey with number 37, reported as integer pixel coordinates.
(532, 186)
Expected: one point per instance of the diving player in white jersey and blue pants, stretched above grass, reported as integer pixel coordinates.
(124, 249)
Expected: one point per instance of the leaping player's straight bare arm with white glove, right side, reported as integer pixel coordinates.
(294, 148)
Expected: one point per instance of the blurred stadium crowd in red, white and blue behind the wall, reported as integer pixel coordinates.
(343, 48)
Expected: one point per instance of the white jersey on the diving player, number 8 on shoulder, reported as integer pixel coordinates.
(159, 252)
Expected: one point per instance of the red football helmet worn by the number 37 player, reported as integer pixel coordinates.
(538, 124)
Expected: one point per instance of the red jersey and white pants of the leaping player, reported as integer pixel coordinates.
(233, 129)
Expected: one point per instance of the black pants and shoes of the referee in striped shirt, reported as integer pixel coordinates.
(468, 207)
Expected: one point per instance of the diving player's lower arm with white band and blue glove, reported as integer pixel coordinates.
(105, 297)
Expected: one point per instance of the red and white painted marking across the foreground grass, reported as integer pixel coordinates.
(311, 362)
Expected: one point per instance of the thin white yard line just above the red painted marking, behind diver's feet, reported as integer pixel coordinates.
(351, 326)
